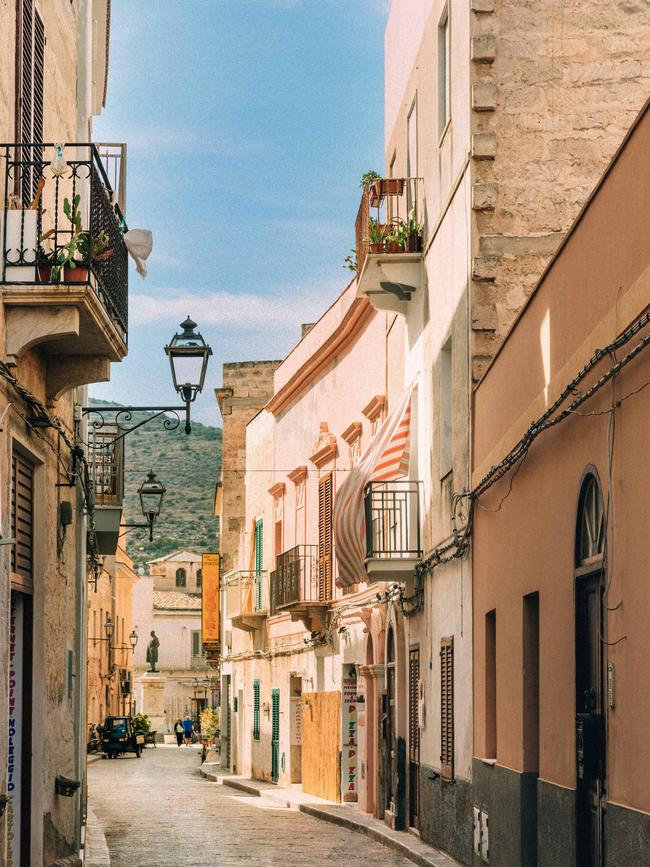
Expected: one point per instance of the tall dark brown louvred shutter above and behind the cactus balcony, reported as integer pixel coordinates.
(30, 95)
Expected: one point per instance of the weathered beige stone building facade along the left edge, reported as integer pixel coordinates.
(54, 340)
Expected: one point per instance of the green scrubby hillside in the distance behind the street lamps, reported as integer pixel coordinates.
(188, 466)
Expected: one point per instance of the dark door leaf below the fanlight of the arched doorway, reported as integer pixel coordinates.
(591, 787)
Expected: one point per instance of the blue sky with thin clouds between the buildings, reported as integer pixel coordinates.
(248, 124)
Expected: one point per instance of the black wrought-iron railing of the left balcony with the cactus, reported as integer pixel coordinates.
(61, 221)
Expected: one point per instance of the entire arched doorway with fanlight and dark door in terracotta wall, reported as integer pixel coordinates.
(591, 752)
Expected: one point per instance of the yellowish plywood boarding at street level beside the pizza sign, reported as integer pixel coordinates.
(321, 744)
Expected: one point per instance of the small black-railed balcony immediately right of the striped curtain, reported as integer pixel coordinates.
(393, 541)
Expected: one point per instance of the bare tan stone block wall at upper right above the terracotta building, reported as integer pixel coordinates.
(555, 86)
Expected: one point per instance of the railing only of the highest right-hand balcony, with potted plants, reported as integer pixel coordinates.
(390, 218)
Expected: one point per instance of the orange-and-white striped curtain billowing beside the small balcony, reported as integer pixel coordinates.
(386, 458)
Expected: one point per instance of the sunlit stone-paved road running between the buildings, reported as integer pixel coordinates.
(158, 810)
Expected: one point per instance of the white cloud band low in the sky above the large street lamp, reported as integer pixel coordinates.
(285, 308)
